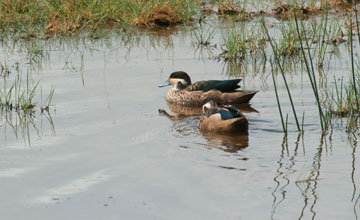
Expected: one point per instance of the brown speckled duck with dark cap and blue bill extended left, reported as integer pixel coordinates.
(186, 93)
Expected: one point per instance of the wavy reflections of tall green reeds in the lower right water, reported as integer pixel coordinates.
(306, 179)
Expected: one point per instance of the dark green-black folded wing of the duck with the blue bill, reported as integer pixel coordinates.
(221, 85)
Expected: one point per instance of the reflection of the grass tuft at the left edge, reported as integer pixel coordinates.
(23, 125)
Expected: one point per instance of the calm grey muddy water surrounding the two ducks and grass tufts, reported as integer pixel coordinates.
(107, 153)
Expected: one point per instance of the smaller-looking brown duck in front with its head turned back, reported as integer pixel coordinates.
(223, 118)
